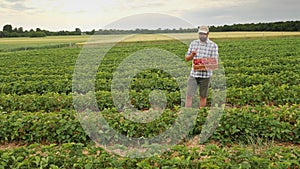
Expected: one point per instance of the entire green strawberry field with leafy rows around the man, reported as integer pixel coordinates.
(260, 126)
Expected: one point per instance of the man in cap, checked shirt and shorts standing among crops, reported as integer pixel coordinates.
(200, 48)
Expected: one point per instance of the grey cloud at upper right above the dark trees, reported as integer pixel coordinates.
(252, 11)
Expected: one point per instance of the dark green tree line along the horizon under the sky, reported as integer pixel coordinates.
(9, 31)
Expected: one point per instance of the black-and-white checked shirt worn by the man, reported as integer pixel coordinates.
(207, 49)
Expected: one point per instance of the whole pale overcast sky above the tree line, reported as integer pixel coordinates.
(56, 15)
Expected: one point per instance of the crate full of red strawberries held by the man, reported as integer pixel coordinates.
(205, 64)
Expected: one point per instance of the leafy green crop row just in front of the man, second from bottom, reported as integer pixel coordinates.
(236, 125)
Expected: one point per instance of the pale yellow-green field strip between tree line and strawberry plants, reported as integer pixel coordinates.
(12, 44)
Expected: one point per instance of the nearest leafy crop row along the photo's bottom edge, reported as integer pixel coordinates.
(76, 155)
